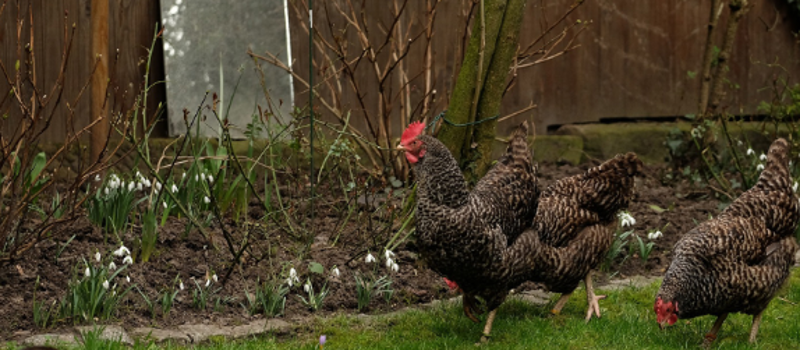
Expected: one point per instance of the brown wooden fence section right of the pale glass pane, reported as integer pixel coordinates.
(637, 59)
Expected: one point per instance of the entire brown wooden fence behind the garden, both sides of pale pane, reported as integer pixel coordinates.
(636, 59)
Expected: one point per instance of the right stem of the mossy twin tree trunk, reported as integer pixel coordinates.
(495, 85)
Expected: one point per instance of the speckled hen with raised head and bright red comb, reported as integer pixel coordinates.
(466, 235)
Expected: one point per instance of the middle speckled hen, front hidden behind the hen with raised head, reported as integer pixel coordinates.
(575, 226)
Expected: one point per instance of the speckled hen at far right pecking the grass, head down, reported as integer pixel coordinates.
(737, 261)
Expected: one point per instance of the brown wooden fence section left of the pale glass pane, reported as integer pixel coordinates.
(56, 22)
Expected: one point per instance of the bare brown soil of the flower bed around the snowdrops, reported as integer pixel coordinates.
(193, 257)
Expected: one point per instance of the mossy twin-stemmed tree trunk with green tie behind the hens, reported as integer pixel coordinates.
(481, 83)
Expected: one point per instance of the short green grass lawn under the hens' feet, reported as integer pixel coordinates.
(628, 323)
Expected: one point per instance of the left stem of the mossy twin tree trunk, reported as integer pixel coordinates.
(472, 75)
